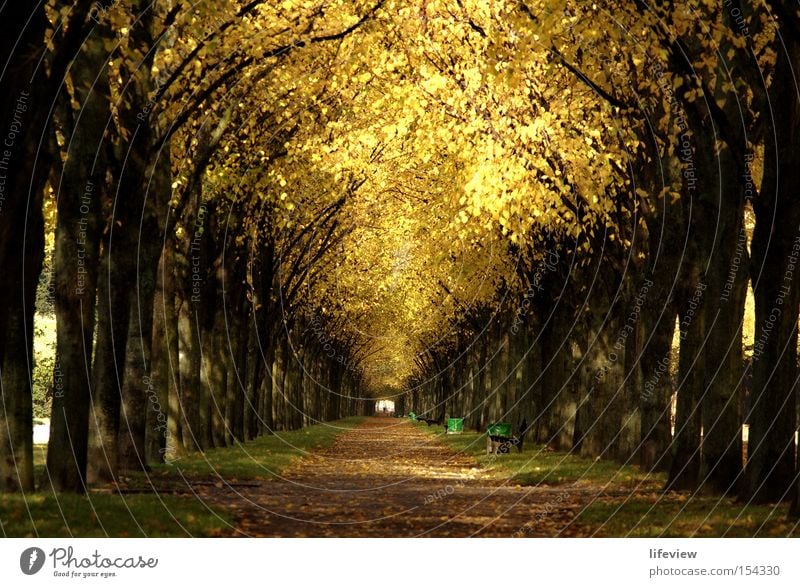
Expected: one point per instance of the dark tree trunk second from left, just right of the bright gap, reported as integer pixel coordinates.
(76, 270)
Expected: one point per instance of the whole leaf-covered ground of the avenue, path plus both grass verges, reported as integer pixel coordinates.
(387, 477)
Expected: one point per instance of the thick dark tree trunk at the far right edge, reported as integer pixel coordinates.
(771, 468)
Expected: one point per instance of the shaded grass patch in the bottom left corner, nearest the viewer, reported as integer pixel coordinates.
(99, 515)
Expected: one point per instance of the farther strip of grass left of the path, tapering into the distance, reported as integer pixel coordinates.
(264, 457)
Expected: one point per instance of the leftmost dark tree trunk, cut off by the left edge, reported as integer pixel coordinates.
(25, 101)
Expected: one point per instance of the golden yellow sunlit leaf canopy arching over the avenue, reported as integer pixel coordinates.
(454, 131)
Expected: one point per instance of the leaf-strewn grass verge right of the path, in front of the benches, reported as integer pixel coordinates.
(635, 507)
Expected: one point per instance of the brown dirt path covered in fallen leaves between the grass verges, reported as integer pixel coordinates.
(388, 478)
